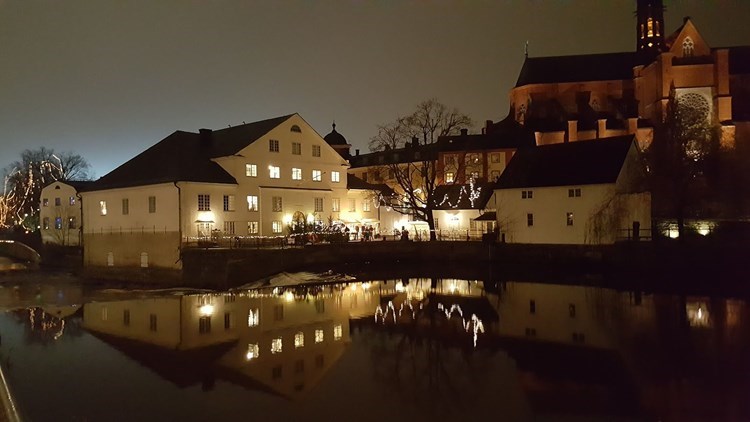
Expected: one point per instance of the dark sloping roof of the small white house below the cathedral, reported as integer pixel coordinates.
(575, 163)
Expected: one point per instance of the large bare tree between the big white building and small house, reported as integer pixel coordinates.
(415, 173)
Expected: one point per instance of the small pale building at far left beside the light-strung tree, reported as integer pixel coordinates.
(60, 212)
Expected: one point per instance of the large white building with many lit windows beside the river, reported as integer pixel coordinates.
(249, 180)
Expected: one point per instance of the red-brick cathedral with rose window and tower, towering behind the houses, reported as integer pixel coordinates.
(594, 96)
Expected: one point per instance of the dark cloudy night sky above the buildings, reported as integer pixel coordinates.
(108, 78)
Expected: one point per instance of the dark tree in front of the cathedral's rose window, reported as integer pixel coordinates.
(683, 159)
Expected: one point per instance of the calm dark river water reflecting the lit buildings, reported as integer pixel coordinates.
(374, 350)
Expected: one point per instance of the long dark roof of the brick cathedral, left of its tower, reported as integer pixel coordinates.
(578, 68)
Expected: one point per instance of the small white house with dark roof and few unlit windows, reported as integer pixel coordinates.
(586, 192)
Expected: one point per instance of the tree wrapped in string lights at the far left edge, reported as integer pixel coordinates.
(25, 178)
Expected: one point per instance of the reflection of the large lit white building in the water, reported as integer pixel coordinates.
(283, 341)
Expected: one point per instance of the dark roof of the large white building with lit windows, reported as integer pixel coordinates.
(186, 156)
